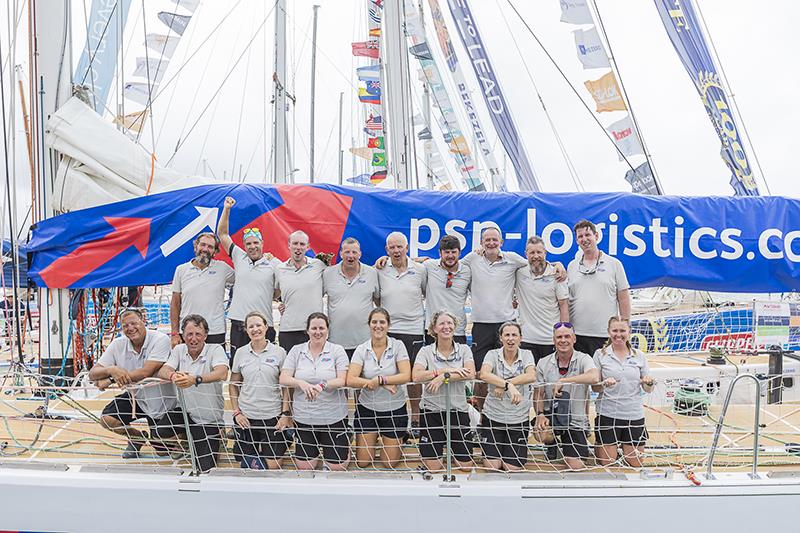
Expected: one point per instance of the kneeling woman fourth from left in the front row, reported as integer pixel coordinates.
(316, 372)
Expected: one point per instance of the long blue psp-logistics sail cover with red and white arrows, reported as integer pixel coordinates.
(737, 244)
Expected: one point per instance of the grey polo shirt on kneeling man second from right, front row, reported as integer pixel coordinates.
(547, 372)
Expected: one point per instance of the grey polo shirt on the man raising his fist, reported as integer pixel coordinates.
(254, 286)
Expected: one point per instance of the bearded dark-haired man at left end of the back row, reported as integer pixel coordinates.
(198, 288)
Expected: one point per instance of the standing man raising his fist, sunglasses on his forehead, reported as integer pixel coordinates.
(255, 279)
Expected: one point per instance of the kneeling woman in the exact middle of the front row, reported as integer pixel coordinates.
(381, 368)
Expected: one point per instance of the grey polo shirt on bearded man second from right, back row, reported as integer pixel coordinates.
(538, 303)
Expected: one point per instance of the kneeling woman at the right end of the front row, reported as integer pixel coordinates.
(620, 414)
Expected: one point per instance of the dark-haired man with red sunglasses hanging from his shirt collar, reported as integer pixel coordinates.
(447, 286)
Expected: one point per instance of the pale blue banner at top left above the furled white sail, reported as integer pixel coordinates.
(99, 58)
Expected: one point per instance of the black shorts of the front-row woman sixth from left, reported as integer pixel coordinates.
(433, 439)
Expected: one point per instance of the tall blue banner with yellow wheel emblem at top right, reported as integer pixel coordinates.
(687, 38)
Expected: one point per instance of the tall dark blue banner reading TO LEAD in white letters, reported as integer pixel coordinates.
(493, 94)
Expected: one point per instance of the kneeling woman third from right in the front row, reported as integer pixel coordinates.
(506, 418)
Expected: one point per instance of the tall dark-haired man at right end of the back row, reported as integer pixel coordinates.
(598, 290)
